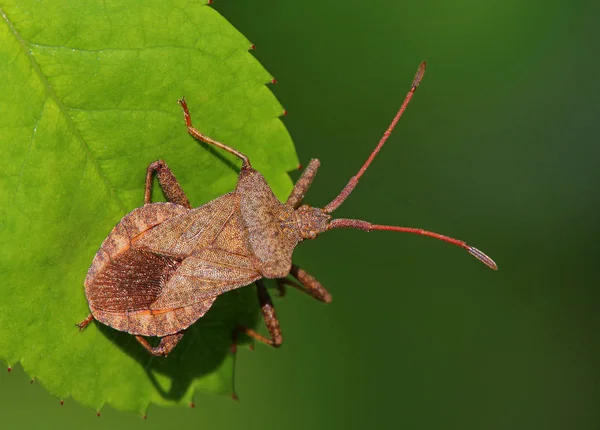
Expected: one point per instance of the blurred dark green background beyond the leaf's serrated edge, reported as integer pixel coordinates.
(500, 148)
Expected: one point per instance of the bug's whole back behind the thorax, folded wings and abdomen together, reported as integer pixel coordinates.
(162, 266)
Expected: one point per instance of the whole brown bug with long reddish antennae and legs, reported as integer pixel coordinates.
(164, 264)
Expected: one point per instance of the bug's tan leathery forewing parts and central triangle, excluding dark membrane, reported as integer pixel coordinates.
(211, 243)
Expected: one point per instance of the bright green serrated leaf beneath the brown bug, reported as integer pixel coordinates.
(88, 97)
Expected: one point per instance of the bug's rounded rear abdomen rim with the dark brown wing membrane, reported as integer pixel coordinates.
(122, 282)
